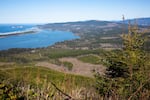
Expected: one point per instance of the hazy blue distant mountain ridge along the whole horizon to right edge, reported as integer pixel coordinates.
(95, 23)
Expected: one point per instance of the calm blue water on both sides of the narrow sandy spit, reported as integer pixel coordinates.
(42, 38)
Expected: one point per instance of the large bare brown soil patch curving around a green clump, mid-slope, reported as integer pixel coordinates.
(79, 68)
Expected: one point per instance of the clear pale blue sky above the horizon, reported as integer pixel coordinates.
(47, 11)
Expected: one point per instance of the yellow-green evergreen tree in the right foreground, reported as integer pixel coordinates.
(127, 75)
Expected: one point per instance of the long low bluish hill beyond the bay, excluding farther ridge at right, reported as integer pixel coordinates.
(90, 24)
